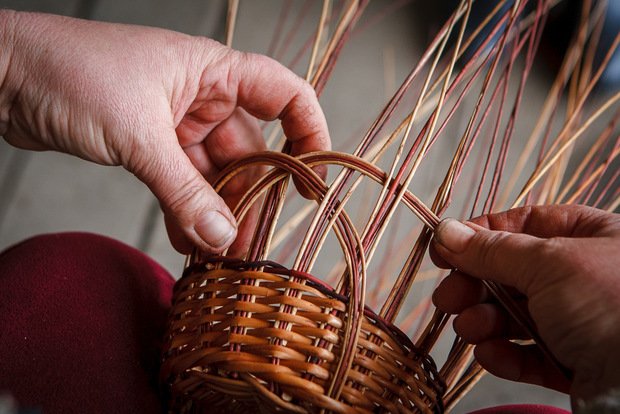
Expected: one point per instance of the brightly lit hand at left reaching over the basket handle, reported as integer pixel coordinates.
(171, 108)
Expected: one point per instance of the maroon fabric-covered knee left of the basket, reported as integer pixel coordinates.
(81, 317)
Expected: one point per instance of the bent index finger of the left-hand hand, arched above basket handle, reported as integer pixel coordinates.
(268, 90)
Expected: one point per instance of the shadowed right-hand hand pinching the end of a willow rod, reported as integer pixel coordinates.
(564, 264)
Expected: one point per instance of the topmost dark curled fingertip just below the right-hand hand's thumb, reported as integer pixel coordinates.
(458, 292)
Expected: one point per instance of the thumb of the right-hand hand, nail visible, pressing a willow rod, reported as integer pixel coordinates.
(512, 259)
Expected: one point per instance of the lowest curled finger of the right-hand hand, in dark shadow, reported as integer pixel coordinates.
(523, 363)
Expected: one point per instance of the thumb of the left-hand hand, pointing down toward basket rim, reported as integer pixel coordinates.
(185, 196)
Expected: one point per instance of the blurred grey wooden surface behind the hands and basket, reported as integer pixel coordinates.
(50, 192)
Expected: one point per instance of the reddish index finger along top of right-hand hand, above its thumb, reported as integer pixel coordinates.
(552, 221)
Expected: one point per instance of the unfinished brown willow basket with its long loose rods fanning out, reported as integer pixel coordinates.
(253, 334)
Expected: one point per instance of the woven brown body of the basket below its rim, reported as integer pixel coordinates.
(240, 338)
